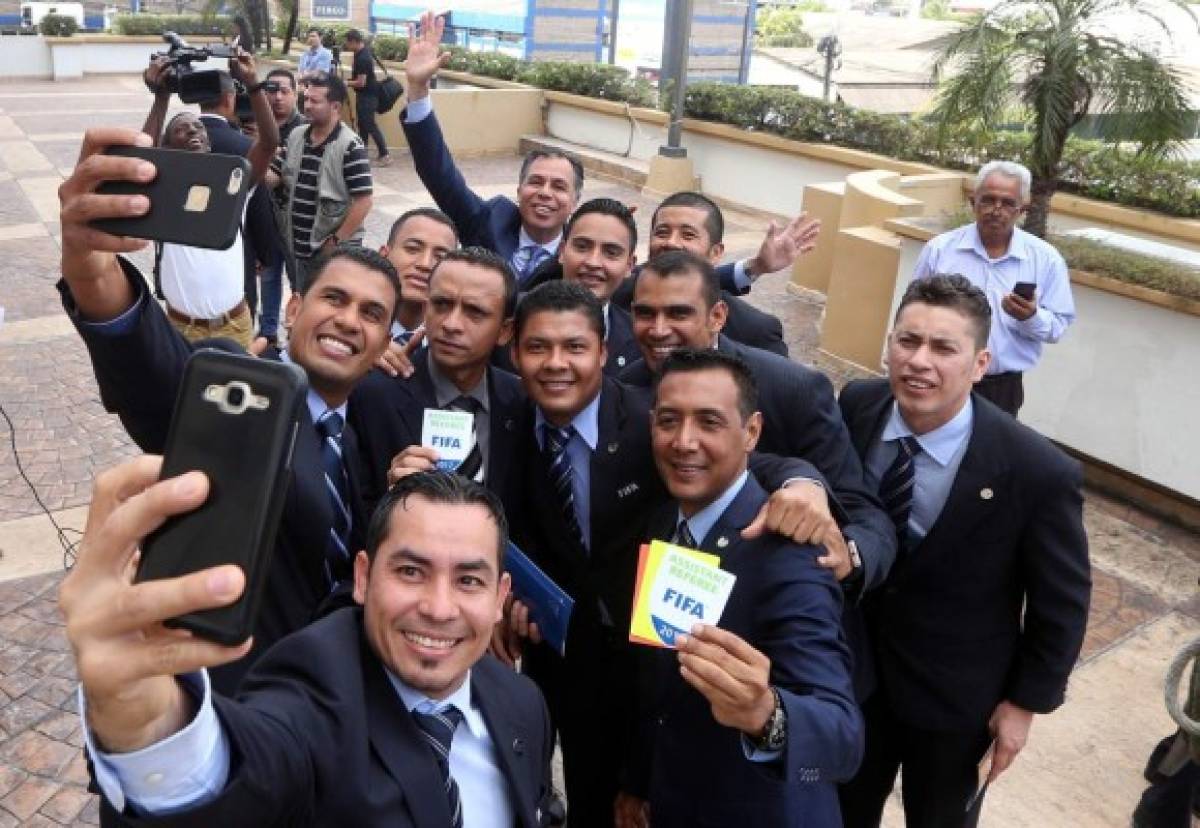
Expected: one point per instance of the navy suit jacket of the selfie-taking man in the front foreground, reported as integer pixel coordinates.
(321, 737)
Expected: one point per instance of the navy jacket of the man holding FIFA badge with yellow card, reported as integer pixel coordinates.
(693, 770)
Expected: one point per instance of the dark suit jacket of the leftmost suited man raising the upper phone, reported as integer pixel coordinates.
(140, 374)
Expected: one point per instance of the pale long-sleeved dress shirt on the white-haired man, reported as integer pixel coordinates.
(1015, 345)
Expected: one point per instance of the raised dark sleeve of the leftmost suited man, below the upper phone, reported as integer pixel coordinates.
(139, 371)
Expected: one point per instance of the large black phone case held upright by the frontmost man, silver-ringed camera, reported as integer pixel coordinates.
(248, 458)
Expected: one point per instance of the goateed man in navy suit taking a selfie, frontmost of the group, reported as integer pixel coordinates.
(386, 715)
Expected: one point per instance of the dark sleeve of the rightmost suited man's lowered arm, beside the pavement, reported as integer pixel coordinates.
(1058, 585)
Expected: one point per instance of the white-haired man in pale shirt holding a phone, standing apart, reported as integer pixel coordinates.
(1025, 279)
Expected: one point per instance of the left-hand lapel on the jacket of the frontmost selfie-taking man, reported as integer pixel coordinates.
(400, 747)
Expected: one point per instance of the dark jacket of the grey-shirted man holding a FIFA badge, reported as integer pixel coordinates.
(388, 415)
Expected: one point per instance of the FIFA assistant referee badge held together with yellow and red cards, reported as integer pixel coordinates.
(676, 589)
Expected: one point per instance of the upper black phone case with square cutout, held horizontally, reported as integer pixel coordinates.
(170, 219)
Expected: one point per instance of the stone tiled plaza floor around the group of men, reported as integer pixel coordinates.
(1144, 605)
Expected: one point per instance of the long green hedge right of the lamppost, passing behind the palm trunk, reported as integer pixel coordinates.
(1090, 169)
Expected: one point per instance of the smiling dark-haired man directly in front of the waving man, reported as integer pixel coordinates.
(598, 251)
